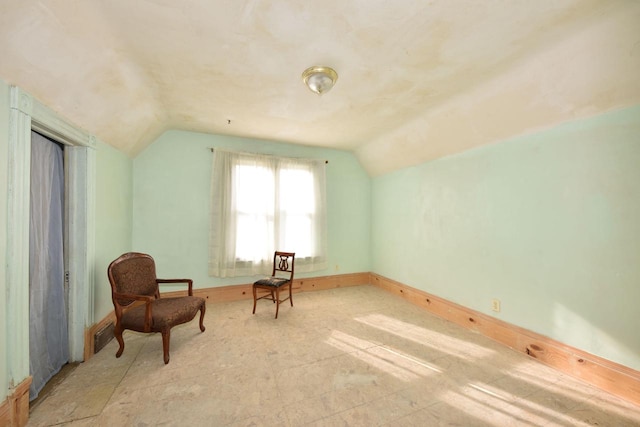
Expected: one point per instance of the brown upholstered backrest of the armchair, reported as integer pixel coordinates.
(133, 273)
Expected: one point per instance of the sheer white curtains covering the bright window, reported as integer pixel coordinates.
(260, 204)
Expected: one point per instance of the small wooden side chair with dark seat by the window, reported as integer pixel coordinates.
(281, 275)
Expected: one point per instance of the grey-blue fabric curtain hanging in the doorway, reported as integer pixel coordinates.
(48, 332)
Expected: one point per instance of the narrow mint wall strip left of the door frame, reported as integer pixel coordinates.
(4, 154)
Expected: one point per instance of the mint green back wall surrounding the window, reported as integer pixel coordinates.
(171, 204)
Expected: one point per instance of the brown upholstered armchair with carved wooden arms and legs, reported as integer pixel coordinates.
(136, 298)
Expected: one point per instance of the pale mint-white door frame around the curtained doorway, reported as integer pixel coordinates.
(27, 113)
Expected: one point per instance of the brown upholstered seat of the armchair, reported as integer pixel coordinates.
(166, 312)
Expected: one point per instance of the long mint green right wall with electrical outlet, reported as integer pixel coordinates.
(547, 223)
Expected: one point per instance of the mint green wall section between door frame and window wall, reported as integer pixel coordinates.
(114, 219)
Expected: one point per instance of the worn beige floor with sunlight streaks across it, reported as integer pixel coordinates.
(345, 357)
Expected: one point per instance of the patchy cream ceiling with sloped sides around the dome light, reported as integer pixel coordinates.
(417, 79)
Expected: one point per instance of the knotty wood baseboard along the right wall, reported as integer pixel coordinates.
(612, 377)
